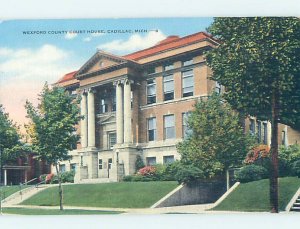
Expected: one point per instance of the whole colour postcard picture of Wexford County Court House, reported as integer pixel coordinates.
(149, 116)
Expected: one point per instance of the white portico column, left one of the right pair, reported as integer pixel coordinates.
(119, 112)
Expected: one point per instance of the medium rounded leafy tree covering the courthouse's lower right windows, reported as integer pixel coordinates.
(217, 140)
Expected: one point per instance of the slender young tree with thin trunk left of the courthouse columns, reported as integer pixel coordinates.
(52, 128)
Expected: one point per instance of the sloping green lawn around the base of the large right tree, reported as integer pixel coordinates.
(254, 196)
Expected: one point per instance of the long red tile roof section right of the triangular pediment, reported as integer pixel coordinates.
(169, 43)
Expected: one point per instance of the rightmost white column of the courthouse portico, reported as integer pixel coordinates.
(127, 112)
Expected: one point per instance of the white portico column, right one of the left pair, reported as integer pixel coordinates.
(91, 118)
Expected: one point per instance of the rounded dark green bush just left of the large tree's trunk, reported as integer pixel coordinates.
(251, 173)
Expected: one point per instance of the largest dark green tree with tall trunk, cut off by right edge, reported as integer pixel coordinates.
(258, 61)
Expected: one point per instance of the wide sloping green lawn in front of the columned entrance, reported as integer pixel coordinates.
(115, 195)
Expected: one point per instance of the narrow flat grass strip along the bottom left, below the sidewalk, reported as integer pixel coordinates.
(30, 211)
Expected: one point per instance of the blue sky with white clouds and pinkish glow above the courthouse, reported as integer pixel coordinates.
(33, 52)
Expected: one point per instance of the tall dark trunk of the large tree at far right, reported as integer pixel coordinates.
(274, 154)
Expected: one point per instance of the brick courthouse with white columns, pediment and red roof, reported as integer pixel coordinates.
(138, 104)
